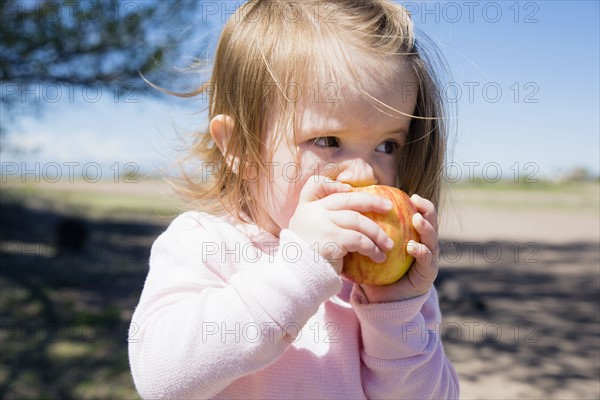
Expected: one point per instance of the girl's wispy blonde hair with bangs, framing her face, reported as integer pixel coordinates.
(268, 47)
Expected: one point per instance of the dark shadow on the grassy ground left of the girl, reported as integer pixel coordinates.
(65, 310)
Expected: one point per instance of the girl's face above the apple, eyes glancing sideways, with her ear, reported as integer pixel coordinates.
(354, 139)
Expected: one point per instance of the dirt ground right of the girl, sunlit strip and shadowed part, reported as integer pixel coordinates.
(520, 290)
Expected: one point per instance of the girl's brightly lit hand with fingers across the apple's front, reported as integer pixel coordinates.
(329, 216)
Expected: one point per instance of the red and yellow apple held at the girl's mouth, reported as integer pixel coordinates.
(397, 223)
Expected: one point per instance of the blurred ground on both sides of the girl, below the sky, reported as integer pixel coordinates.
(519, 286)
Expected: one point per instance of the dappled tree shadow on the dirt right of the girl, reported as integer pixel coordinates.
(523, 319)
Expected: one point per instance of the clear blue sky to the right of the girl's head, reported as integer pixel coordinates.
(547, 53)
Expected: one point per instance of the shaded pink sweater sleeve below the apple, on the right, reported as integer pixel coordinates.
(402, 351)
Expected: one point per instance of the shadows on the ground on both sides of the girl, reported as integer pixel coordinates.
(523, 316)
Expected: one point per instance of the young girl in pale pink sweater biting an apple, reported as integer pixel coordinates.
(245, 297)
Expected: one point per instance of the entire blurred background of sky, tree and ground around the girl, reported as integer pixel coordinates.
(520, 266)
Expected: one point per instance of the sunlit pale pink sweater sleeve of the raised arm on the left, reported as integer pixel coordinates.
(197, 329)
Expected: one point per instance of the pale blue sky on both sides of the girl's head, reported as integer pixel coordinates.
(525, 83)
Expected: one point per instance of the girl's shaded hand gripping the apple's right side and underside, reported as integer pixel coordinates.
(419, 278)
